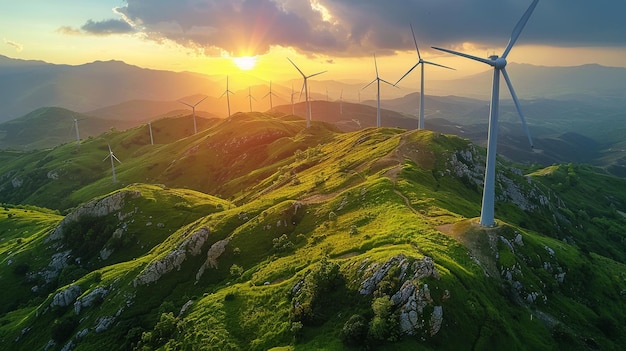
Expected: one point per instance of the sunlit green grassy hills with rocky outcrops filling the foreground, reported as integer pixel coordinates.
(259, 234)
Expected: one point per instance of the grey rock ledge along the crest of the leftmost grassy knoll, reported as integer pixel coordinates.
(96, 208)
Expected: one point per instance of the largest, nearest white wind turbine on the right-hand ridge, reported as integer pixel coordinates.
(498, 64)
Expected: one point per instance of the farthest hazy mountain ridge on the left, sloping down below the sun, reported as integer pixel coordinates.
(29, 85)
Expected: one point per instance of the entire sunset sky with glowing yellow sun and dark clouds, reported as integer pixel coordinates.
(340, 36)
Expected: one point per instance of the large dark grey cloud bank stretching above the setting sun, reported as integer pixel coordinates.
(360, 27)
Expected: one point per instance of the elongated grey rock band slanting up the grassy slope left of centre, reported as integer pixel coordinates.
(174, 259)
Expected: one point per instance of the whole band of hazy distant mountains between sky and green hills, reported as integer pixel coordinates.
(575, 114)
